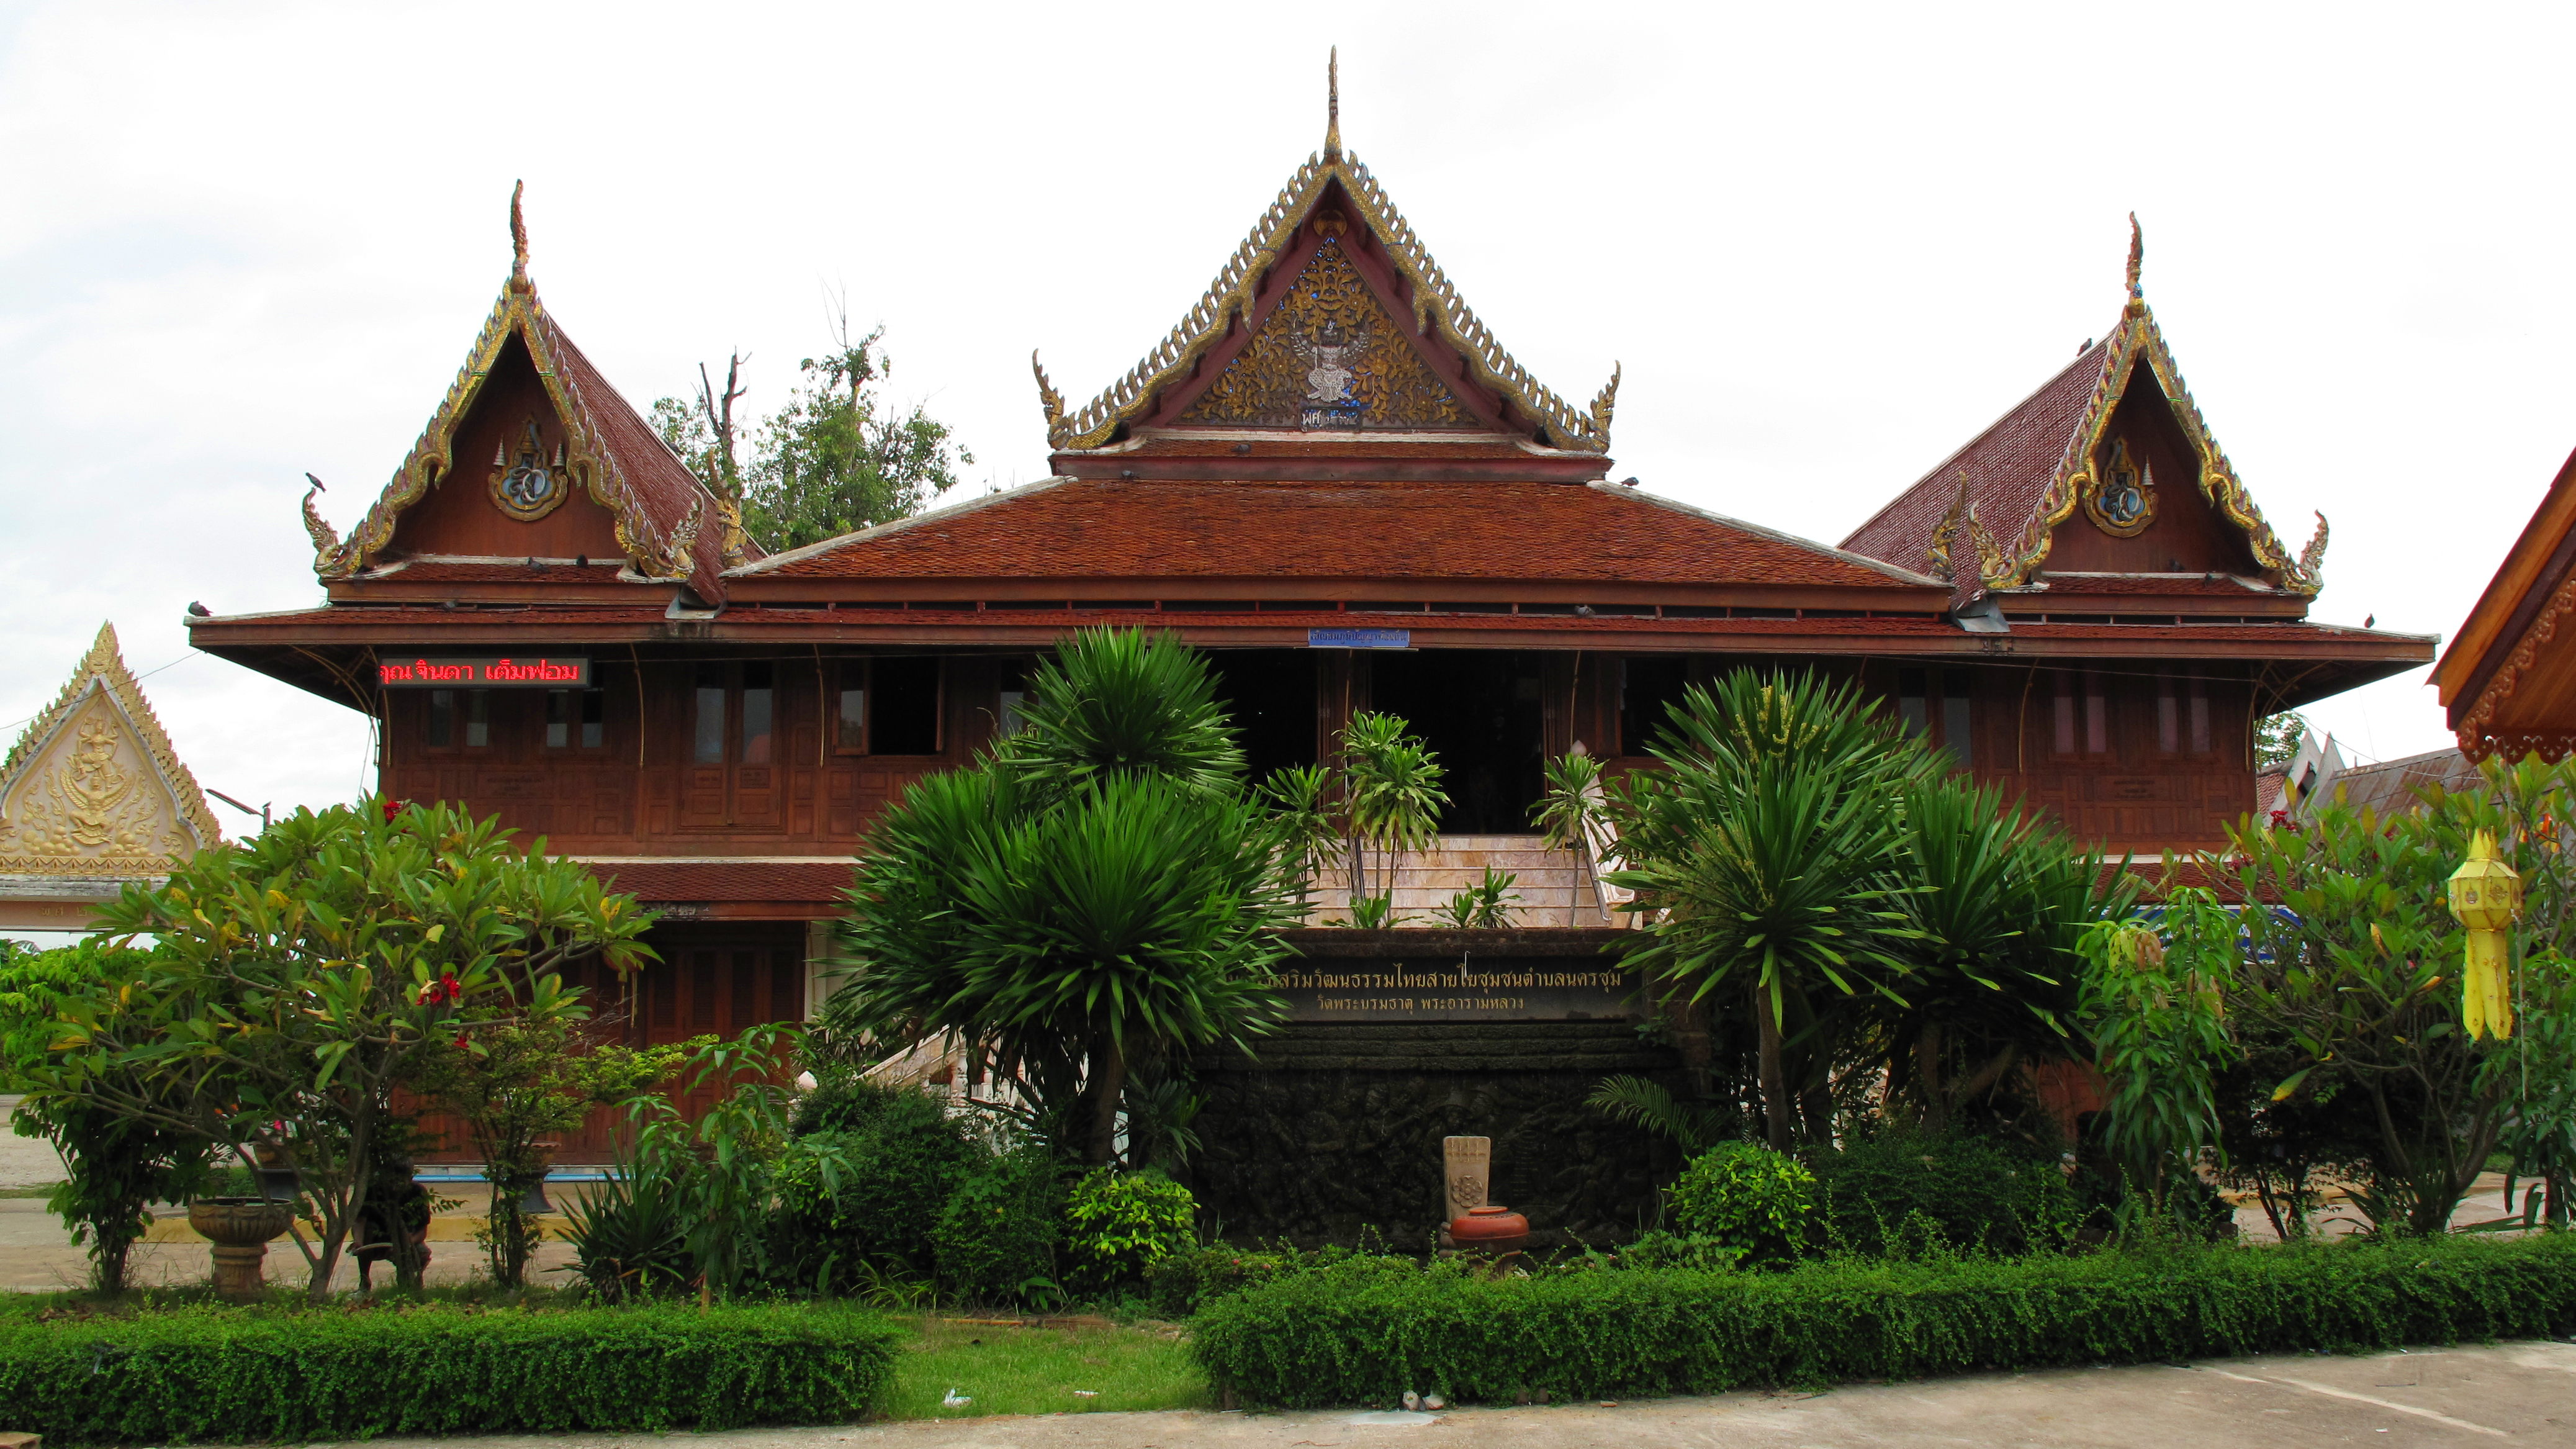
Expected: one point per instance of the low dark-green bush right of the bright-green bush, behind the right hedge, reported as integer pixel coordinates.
(1910, 1192)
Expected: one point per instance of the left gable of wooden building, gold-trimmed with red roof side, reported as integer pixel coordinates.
(586, 440)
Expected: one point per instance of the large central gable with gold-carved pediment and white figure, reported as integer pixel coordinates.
(1367, 336)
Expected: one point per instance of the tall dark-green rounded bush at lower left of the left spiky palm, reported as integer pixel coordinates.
(882, 1203)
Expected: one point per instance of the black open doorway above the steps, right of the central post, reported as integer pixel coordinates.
(1480, 713)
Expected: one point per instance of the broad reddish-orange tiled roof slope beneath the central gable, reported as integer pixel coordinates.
(1333, 530)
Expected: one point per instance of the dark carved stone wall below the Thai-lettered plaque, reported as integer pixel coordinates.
(1338, 1131)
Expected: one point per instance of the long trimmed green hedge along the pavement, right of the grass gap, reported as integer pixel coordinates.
(1318, 1339)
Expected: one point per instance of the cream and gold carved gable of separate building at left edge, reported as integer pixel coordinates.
(94, 790)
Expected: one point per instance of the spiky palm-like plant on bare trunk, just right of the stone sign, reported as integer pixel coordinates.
(1771, 852)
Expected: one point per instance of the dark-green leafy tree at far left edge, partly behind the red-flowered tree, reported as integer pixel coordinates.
(115, 1164)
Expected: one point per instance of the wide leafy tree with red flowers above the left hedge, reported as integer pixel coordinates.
(310, 971)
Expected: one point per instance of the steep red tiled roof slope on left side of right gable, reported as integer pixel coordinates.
(2008, 468)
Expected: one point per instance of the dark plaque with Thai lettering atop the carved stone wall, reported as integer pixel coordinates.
(1506, 989)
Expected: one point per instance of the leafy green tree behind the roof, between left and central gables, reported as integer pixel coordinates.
(841, 458)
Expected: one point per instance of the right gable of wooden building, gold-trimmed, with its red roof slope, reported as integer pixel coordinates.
(2116, 437)
